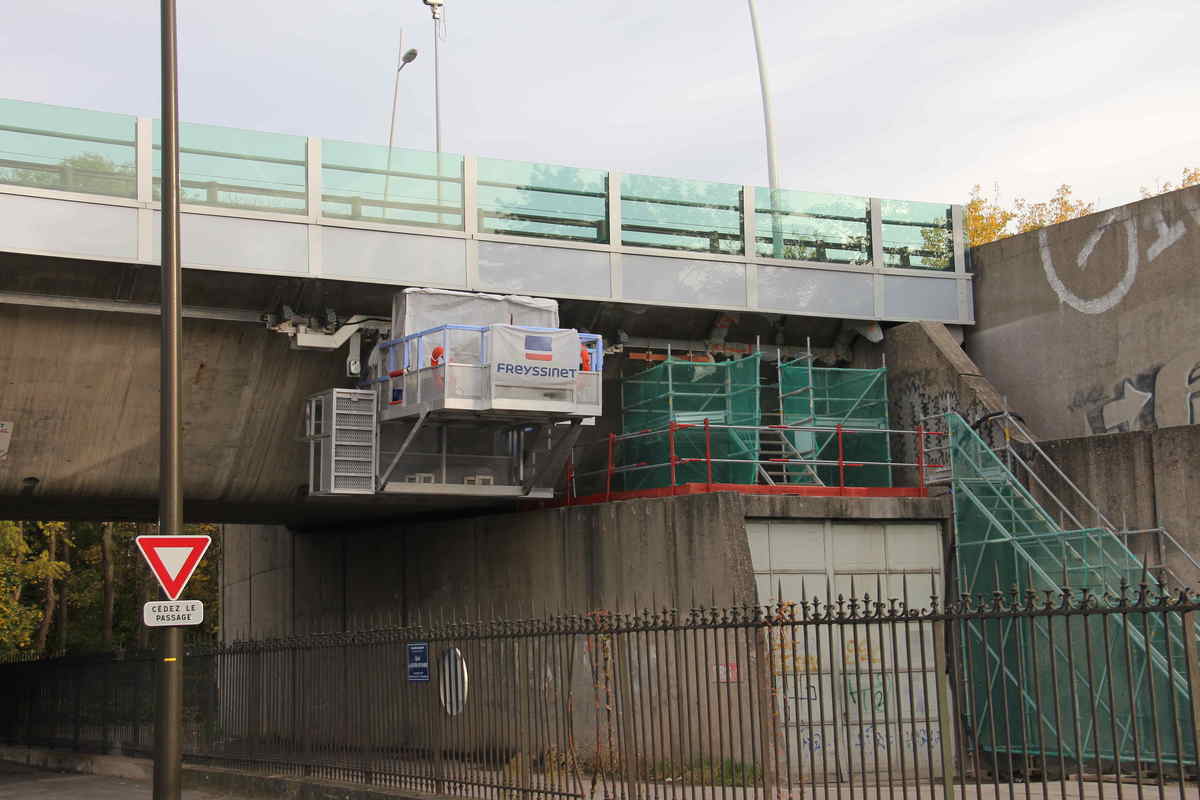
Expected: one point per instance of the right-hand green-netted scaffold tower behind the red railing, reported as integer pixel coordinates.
(832, 400)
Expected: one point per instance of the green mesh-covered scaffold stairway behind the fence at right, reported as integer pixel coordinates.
(1051, 701)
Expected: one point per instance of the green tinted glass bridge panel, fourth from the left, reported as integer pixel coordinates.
(543, 201)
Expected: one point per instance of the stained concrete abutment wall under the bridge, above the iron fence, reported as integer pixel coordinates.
(584, 558)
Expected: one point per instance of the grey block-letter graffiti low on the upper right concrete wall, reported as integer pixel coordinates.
(1159, 398)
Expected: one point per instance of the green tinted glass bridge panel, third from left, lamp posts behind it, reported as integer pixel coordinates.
(368, 183)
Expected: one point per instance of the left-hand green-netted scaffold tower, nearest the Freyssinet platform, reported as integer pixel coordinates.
(667, 408)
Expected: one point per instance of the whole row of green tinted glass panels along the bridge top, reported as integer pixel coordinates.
(97, 153)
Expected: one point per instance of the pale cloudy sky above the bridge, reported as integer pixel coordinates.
(915, 100)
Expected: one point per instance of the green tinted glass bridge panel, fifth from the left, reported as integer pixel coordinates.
(681, 214)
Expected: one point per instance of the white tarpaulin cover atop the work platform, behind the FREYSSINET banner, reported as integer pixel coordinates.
(419, 310)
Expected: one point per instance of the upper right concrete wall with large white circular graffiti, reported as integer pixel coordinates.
(1090, 327)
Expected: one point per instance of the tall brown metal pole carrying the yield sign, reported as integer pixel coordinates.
(169, 712)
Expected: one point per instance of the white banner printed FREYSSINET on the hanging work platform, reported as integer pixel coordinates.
(535, 358)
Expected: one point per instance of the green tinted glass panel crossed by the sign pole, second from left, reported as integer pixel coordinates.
(237, 170)
